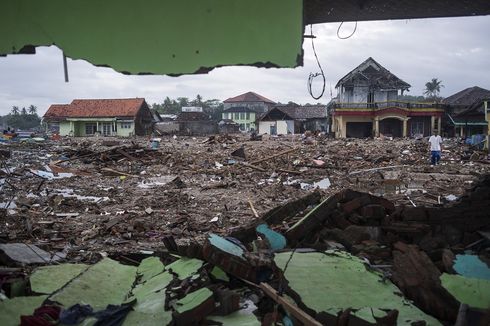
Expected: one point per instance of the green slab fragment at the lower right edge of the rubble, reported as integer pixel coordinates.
(471, 291)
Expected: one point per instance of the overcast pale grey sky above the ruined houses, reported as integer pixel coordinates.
(455, 50)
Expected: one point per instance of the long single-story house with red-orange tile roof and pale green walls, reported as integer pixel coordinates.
(106, 117)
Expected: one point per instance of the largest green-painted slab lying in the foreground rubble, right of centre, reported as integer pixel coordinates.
(334, 281)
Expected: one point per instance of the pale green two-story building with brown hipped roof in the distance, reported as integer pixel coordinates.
(245, 109)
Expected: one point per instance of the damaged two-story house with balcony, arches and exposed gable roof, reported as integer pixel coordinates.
(367, 105)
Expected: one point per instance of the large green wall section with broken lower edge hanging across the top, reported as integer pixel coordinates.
(159, 36)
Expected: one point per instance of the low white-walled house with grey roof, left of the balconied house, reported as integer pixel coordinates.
(294, 119)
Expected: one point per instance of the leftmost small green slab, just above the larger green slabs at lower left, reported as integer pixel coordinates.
(47, 279)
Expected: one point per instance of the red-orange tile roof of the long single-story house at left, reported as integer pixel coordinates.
(96, 108)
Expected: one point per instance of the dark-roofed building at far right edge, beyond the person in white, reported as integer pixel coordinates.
(466, 112)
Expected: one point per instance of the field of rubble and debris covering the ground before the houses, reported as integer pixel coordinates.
(228, 230)
